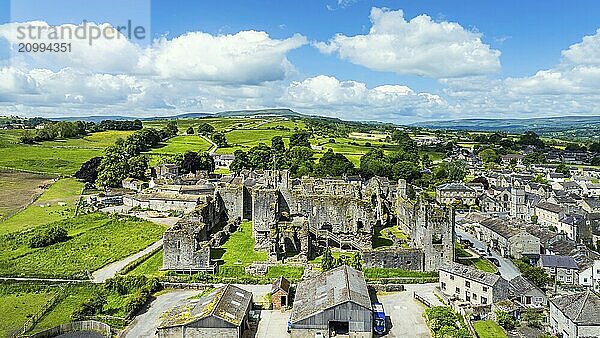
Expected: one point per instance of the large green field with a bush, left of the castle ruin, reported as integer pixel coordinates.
(95, 241)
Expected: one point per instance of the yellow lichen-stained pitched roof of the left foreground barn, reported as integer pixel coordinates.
(228, 303)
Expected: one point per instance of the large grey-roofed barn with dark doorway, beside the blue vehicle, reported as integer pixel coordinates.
(336, 302)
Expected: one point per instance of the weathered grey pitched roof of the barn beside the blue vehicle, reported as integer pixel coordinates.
(329, 289)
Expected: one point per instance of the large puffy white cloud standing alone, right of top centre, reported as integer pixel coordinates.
(419, 46)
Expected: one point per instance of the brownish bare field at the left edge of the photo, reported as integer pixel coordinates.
(17, 189)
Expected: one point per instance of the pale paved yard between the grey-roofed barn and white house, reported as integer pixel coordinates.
(405, 312)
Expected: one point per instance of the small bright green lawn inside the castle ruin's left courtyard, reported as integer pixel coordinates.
(239, 248)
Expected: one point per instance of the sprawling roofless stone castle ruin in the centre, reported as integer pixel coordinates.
(299, 218)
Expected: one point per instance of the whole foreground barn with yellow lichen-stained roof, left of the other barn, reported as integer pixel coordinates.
(221, 313)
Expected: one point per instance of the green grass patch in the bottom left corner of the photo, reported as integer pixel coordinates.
(18, 303)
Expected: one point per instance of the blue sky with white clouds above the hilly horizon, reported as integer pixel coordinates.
(515, 58)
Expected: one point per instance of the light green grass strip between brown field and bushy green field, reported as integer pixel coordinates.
(56, 203)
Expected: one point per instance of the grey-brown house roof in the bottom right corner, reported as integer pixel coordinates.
(581, 308)
